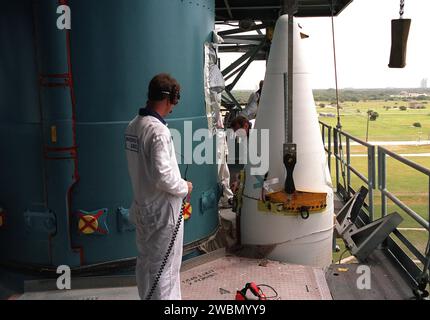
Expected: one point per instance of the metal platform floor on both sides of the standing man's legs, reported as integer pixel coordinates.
(216, 279)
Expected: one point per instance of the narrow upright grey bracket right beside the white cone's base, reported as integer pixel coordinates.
(347, 216)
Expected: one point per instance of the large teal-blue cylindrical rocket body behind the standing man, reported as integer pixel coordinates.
(62, 141)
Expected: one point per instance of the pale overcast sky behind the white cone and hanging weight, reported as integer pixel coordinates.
(363, 44)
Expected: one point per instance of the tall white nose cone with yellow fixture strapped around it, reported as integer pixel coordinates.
(295, 240)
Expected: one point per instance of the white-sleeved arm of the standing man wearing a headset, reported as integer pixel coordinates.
(166, 176)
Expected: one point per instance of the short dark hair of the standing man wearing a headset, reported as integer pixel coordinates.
(163, 86)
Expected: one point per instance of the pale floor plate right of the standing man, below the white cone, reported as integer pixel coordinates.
(219, 280)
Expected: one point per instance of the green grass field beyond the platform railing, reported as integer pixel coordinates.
(407, 184)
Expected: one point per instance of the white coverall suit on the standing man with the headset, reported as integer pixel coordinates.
(158, 193)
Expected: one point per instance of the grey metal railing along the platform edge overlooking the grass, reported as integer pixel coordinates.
(345, 190)
